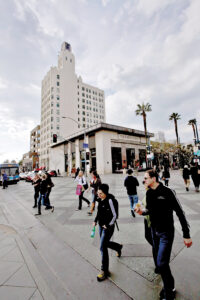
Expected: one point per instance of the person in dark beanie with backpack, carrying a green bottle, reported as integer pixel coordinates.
(107, 214)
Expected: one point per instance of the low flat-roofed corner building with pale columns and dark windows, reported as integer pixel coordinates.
(104, 147)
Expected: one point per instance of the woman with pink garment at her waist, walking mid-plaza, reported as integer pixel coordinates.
(80, 189)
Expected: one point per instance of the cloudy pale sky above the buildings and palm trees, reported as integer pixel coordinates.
(135, 50)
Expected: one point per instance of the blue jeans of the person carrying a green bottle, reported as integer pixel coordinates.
(105, 243)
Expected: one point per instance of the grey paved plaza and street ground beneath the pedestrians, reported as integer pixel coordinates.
(53, 257)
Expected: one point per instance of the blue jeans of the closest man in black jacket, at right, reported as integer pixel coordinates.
(162, 247)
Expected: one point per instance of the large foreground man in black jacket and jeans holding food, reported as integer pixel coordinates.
(160, 204)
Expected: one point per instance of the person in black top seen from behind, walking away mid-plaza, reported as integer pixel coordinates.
(131, 184)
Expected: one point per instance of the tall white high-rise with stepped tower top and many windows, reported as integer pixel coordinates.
(65, 95)
